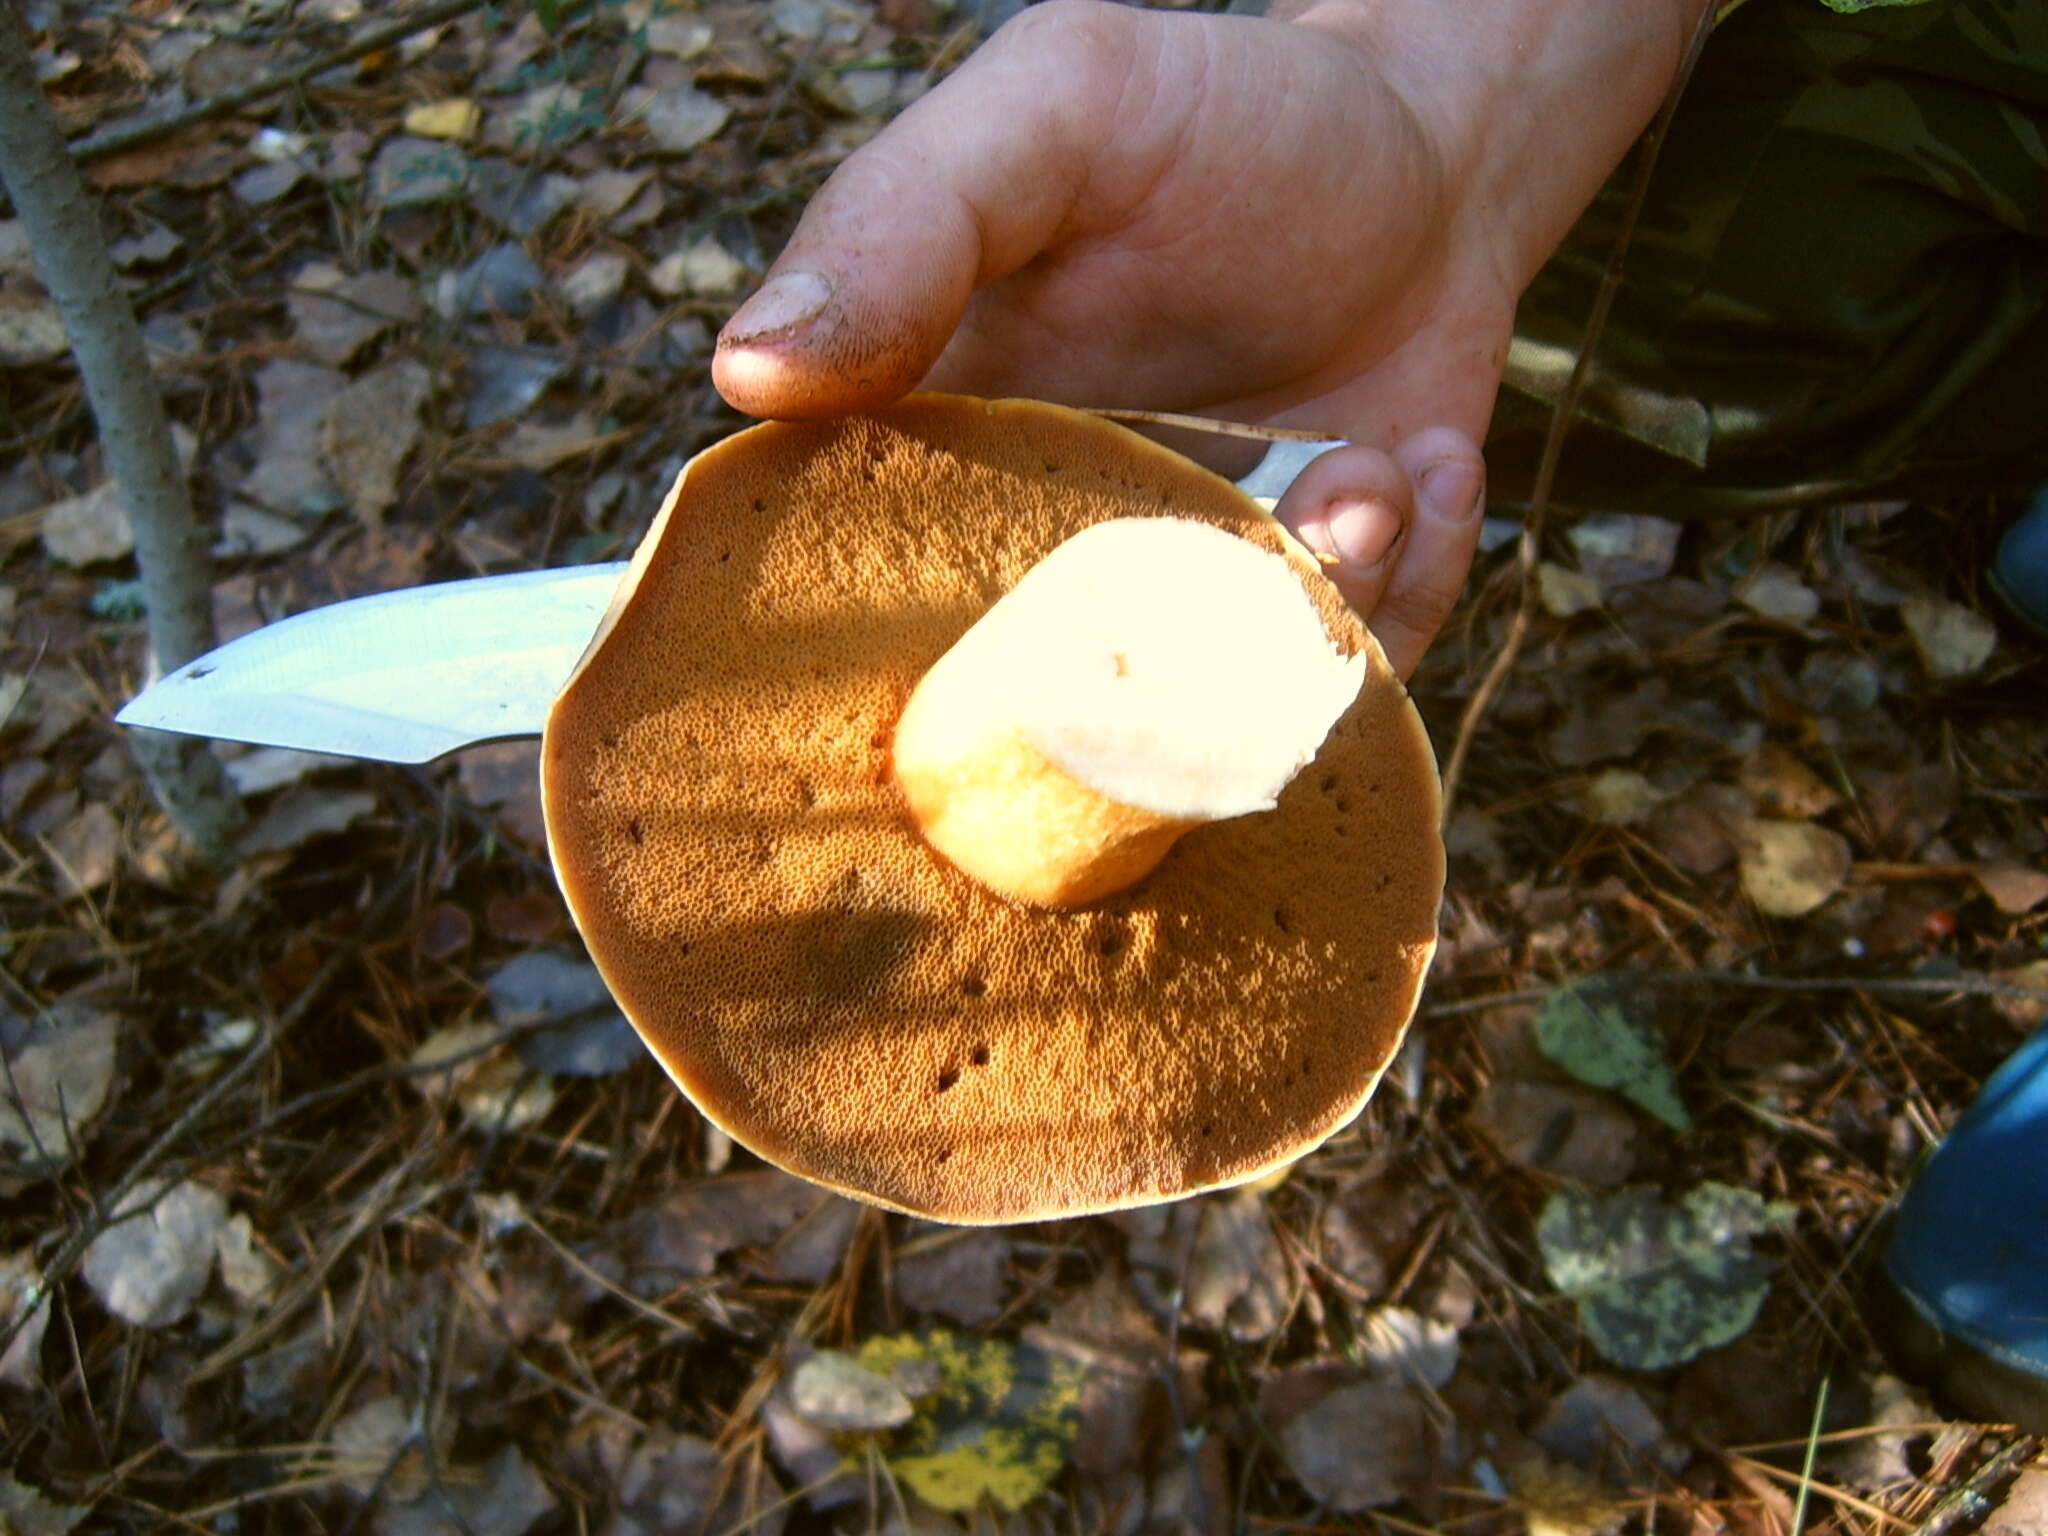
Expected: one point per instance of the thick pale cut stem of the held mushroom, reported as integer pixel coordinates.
(1144, 679)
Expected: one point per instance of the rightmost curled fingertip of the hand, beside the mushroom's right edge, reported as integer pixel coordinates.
(1437, 552)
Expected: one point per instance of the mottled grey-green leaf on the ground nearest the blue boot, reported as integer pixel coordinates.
(1658, 1285)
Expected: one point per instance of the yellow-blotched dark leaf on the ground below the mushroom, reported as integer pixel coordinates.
(994, 1422)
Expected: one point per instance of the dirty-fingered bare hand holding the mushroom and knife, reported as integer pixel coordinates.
(1254, 220)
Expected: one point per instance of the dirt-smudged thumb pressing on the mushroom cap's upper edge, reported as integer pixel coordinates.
(959, 191)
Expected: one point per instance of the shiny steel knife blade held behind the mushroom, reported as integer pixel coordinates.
(415, 675)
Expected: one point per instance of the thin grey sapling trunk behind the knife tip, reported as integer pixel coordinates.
(171, 546)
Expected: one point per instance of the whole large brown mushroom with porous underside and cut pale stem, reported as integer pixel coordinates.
(865, 833)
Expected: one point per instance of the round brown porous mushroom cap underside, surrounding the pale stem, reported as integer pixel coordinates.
(853, 1009)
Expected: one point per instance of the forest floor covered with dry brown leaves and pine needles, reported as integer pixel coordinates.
(337, 1199)
